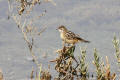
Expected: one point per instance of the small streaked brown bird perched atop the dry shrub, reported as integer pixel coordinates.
(69, 37)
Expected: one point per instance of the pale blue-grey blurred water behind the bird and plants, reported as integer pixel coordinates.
(93, 20)
